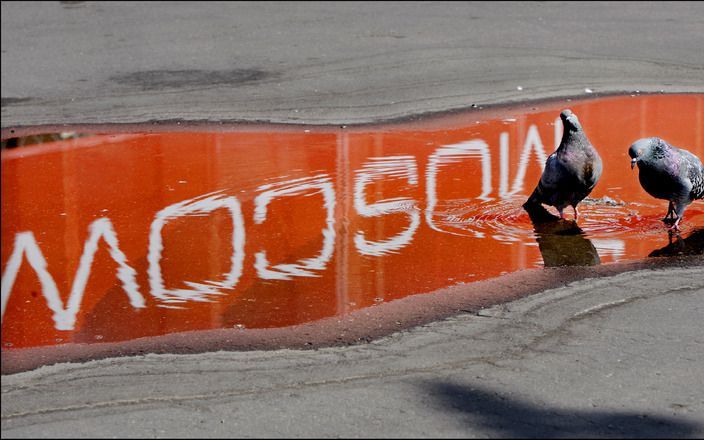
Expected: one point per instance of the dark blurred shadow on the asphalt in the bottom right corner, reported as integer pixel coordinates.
(515, 418)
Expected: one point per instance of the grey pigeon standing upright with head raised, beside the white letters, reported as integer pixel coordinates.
(571, 172)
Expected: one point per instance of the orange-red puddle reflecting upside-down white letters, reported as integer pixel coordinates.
(119, 236)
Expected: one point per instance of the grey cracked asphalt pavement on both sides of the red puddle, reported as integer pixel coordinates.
(617, 356)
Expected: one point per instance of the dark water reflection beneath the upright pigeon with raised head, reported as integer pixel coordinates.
(561, 242)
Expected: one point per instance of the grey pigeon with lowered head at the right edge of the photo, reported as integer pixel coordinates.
(669, 173)
